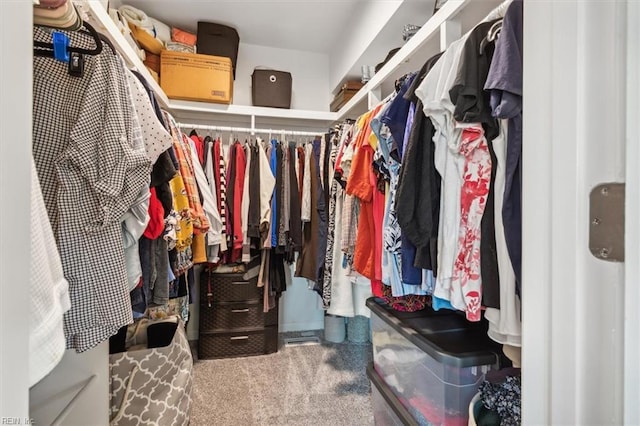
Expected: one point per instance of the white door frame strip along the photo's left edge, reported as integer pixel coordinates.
(15, 152)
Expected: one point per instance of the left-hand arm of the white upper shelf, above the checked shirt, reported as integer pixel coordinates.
(105, 25)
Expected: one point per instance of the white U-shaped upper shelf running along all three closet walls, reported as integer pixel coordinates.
(454, 18)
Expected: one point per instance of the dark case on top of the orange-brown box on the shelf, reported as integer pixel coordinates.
(218, 40)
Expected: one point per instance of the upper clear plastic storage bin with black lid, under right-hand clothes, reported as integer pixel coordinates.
(433, 362)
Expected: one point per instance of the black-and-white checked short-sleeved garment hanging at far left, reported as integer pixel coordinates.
(89, 179)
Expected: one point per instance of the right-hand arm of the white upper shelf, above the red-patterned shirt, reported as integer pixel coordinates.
(424, 44)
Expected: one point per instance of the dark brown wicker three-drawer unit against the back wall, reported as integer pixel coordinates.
(232, 321)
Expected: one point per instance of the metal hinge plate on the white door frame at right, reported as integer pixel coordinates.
(606, 222)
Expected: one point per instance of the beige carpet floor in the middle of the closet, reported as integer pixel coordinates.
(311, 385)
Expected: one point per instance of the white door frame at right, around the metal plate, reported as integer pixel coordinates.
(576, 120)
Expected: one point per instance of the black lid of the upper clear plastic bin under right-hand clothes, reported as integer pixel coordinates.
(444, 335)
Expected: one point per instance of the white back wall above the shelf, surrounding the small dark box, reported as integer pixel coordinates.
(310, 75)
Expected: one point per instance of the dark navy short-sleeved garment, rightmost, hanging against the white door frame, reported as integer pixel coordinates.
(505, 84)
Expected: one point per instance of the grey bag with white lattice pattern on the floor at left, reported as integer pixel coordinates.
(152, 386)
